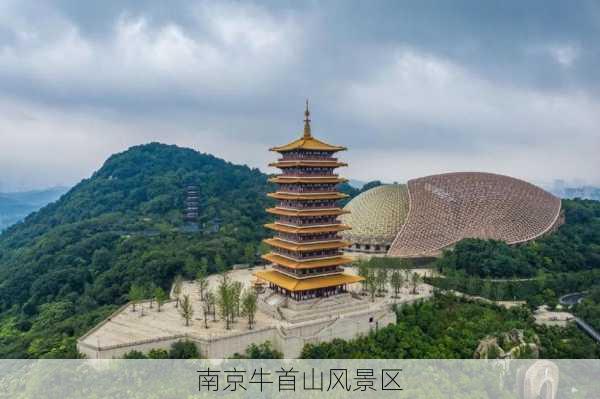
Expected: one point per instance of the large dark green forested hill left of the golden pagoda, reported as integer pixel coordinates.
(69, 264)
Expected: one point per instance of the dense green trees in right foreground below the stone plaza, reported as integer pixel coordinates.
(449, 327)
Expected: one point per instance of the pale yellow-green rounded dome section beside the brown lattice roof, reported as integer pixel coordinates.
(376, 216)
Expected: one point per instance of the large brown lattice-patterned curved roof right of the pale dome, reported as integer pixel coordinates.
(449, 207)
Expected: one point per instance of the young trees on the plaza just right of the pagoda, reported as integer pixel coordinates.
(378, 275)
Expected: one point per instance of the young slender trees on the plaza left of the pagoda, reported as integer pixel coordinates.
(229, 300)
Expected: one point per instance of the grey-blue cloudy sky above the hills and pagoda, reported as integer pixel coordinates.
(412, 88)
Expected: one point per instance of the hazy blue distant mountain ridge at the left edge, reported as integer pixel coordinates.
(15, 206)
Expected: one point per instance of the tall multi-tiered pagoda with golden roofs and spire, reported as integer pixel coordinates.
(306, 254)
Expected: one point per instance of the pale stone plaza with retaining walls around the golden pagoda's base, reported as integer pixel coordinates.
(286, 323)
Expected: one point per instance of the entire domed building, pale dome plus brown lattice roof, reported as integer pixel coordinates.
(429, 214)
